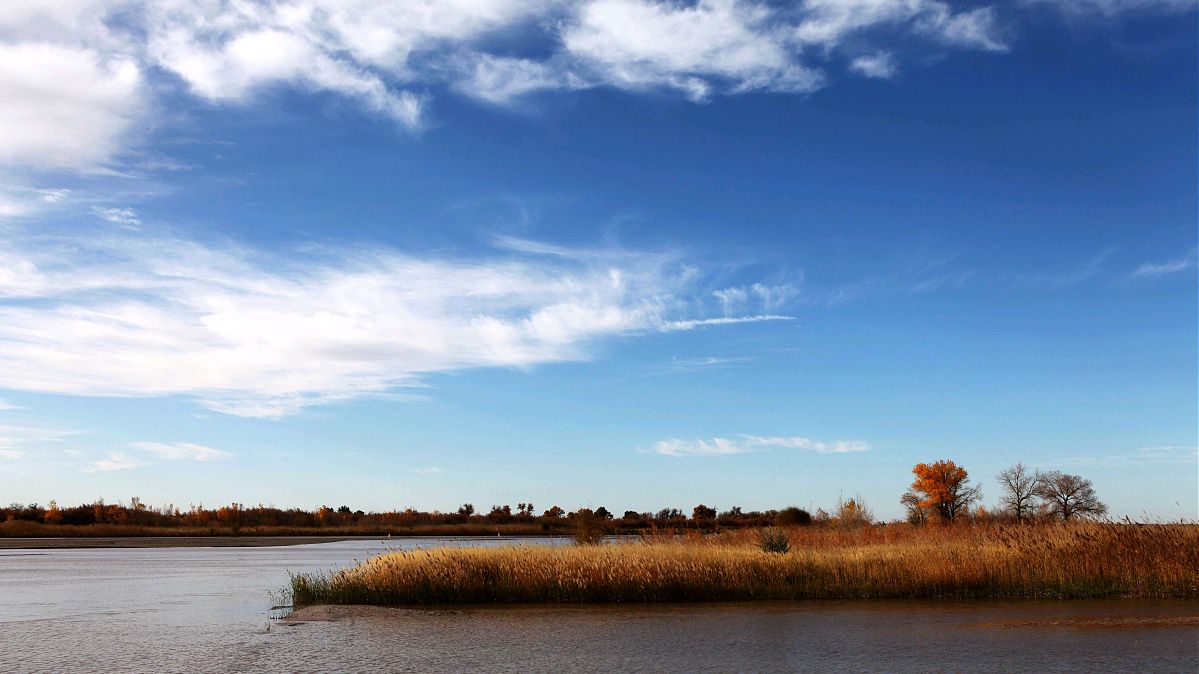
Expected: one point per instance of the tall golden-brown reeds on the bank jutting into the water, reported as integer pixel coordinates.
(1063, 561)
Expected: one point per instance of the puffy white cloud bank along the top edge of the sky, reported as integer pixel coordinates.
(81, 79)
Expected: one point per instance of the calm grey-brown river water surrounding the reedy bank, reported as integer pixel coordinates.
(204, 610)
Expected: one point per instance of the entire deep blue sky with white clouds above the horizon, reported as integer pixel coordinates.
(612, 254)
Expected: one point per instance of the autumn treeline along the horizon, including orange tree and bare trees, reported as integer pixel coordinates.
(942, 494)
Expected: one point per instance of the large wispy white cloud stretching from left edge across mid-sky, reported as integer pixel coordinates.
(251, 334)
